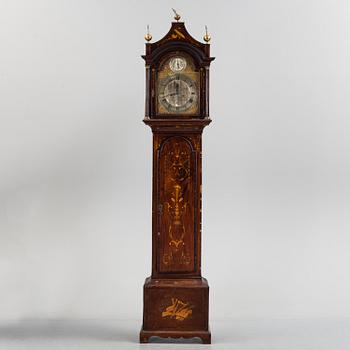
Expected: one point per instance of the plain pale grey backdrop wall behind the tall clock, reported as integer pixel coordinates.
(75, 157)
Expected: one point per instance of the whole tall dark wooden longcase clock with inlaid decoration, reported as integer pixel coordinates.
(177, 110)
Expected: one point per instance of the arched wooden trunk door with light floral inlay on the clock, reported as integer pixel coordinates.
(177, 183)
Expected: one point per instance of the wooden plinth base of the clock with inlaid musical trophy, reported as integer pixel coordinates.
(175, 308)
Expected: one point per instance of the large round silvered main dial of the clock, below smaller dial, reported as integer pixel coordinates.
(177, 93)
